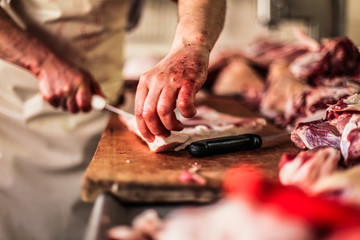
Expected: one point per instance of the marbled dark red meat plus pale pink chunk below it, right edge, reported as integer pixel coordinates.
(329, 163)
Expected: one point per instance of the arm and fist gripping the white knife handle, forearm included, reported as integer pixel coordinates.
(61, 83)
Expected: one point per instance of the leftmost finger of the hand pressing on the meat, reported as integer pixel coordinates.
(140, 97)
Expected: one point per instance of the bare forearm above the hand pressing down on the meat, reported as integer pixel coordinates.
(200, 23)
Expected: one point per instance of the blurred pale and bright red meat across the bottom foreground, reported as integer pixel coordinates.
(255, 208)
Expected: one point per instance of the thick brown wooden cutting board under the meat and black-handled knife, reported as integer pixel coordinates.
(124, 166)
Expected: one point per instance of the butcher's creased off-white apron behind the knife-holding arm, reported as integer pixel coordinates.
(41, 148)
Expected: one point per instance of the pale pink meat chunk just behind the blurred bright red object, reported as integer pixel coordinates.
(304, 169)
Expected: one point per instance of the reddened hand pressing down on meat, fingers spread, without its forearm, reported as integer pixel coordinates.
(172, 83)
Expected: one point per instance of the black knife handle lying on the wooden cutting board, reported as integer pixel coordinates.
(227, 144)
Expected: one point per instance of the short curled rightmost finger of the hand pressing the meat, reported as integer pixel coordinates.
(185, 102)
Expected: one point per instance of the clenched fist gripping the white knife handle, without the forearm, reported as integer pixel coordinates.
(64, 85)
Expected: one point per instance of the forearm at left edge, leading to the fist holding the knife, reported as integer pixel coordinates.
(19, 47)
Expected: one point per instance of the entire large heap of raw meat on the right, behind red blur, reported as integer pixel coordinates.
(311, 89)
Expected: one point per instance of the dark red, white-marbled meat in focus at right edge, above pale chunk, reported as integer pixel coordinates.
(341, 130)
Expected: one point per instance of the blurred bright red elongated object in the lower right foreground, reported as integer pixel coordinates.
(328, 218)
